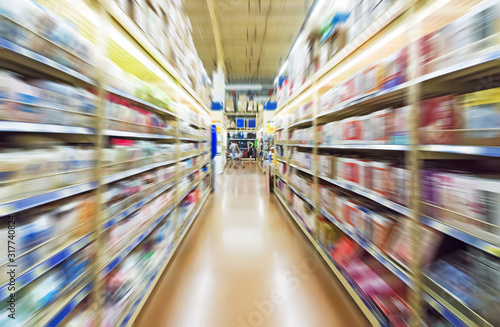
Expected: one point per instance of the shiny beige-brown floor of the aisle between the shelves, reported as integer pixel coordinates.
(243, 253)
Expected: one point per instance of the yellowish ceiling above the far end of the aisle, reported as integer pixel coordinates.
(256, 35)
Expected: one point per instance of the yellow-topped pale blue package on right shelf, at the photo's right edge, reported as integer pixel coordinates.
(481, 115)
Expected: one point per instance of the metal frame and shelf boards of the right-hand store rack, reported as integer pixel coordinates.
(391, 28)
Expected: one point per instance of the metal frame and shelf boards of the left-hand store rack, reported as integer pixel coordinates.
(135, 48)
